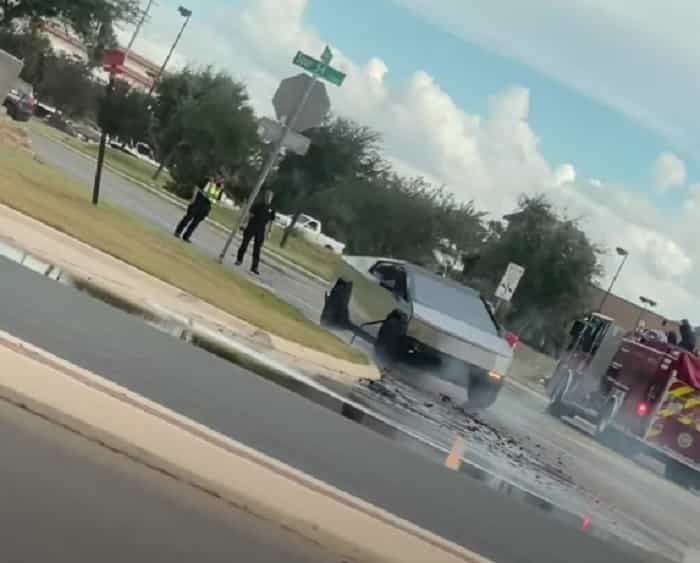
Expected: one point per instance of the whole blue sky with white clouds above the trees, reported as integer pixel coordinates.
(591, 102)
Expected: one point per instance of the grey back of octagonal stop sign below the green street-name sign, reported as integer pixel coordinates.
(289, 95)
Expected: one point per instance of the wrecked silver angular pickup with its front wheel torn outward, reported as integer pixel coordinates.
(418, 318)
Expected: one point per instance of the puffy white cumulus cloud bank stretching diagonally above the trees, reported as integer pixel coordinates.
(491, 158)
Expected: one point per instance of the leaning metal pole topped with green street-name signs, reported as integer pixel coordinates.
(319, 69)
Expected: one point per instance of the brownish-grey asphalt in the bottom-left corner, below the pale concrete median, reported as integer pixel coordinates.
(67, 500)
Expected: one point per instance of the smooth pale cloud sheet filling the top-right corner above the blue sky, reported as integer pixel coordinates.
(637, 57)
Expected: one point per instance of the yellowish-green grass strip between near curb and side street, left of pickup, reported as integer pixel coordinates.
(48, 196)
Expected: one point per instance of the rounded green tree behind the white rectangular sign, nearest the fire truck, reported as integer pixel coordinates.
(561, 265)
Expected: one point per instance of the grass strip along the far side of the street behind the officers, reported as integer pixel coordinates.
(311, 257)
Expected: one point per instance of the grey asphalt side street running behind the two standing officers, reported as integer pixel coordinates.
(291, 286)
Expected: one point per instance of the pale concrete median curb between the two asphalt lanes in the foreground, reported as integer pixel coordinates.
(194, 454)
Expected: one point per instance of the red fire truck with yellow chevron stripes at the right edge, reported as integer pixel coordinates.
(639, 394)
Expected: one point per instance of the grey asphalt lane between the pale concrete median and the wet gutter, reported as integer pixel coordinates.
(285, 426)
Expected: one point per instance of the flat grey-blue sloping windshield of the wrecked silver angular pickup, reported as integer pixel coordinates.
(449, 298)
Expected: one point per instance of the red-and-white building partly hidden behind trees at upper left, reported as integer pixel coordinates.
(139, 72)
